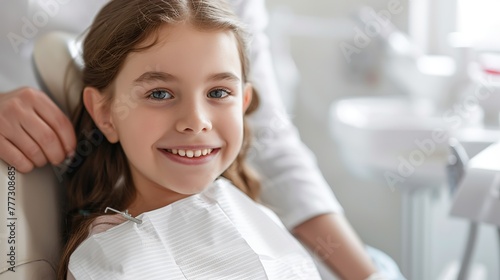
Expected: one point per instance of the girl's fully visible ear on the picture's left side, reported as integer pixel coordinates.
(99, 110)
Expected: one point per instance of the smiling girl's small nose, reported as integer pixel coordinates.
(193, 119)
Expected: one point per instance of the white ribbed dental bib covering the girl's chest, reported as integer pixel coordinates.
(217, 234)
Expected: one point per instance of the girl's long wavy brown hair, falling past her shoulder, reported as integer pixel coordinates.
(101, 177)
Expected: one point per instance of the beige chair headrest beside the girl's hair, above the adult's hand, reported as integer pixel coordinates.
(58, 65)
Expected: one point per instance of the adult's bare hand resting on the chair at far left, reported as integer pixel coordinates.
(33, 130)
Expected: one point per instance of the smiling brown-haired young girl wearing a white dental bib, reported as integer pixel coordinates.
(166, 91)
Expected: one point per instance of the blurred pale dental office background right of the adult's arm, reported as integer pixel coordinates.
(377, 89)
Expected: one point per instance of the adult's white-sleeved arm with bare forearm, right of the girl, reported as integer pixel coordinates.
(292, 184)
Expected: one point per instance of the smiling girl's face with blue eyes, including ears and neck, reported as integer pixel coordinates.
(178, 113)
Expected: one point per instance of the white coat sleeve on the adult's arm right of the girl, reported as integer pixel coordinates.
(292, 184)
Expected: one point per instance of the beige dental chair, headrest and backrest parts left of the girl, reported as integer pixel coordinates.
(31, 216)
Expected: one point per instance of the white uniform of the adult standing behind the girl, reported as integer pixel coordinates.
(292, 184)
